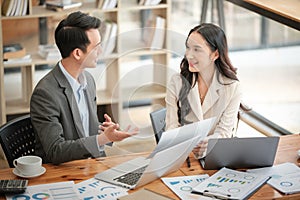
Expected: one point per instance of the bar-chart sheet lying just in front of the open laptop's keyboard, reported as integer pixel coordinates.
(96, 189)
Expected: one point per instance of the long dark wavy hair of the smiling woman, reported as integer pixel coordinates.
(216, 40)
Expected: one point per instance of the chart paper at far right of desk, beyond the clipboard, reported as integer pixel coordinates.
(285, 177)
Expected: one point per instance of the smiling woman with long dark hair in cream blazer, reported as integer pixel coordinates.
(206, 87)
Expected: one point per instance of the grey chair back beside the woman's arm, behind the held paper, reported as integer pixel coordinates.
(158, 122)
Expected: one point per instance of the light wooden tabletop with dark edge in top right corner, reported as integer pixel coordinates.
(285, 12)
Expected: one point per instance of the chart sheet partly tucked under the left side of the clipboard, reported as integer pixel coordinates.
(182, 186)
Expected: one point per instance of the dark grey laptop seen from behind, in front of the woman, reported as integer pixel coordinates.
(237, 153)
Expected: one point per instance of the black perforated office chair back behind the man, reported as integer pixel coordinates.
(17, 138)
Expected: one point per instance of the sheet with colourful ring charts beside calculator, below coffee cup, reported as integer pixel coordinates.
(53, 191)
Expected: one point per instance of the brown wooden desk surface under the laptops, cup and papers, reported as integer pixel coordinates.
(80, 170)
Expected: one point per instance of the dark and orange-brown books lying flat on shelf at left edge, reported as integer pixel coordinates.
(13, 51)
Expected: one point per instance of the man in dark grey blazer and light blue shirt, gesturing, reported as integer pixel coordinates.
(63, 105)
